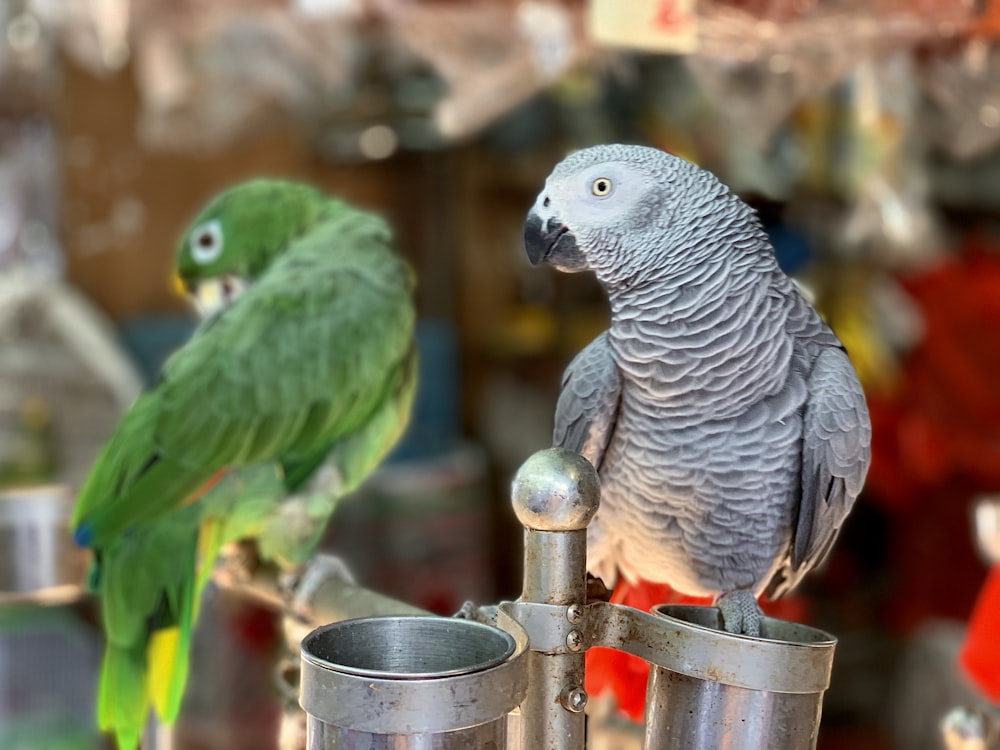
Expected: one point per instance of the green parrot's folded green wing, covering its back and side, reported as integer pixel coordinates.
(301, 359)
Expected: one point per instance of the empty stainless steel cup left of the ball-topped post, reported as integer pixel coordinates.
(409, 682)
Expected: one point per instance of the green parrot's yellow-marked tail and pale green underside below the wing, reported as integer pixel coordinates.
(152, 578)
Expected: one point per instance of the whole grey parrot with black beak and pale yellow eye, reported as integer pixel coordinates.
(725, 420)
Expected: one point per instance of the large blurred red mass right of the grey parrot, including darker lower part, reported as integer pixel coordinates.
(936, 438)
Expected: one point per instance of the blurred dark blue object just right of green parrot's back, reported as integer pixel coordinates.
(435, 424)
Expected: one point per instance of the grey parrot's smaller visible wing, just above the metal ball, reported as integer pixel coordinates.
(588, 403)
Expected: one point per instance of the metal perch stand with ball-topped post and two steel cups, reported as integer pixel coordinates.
(404, 681)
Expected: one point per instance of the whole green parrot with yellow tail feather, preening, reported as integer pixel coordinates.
(294, 387)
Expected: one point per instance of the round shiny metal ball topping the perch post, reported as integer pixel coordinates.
(556, 490)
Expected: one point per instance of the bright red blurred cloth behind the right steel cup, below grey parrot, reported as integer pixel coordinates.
(625, 675)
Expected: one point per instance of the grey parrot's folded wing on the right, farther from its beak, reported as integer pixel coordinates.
(836, 452)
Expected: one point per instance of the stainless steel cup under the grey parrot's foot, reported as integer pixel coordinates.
(742, 693)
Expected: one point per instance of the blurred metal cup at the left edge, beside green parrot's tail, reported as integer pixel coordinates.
(39, 562)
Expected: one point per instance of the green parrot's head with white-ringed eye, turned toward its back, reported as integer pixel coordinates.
(239, 233)
